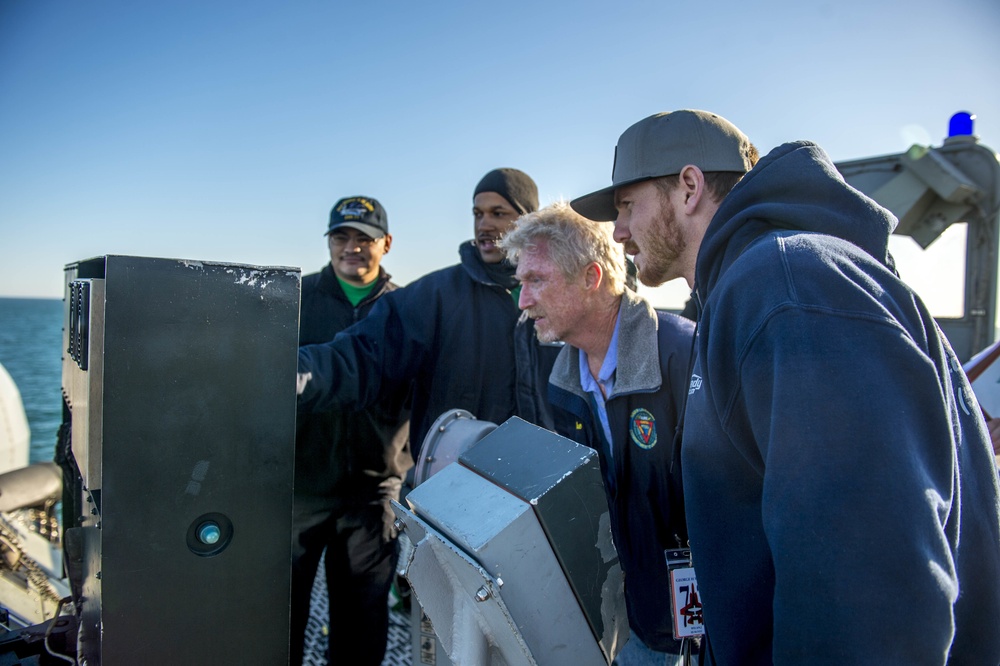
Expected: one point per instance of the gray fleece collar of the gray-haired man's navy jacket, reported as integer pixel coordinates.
(638, 353)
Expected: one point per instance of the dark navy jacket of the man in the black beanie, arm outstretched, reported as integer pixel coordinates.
(452, 335)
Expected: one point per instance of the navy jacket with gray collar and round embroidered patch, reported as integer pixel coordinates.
(644, 486)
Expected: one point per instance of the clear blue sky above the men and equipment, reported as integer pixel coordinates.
(224, 130)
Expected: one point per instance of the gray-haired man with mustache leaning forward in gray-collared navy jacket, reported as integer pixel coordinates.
(618, 385)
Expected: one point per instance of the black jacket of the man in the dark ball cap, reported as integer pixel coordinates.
(346, 454)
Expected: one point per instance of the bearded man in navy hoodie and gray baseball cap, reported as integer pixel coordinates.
(839, 484)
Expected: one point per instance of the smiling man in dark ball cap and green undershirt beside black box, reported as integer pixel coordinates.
(348, 464)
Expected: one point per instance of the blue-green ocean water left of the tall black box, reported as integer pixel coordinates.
(31, 351)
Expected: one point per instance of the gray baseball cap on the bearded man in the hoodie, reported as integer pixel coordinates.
(662, 145)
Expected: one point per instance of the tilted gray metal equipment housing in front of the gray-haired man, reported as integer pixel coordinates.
(510, 554)
